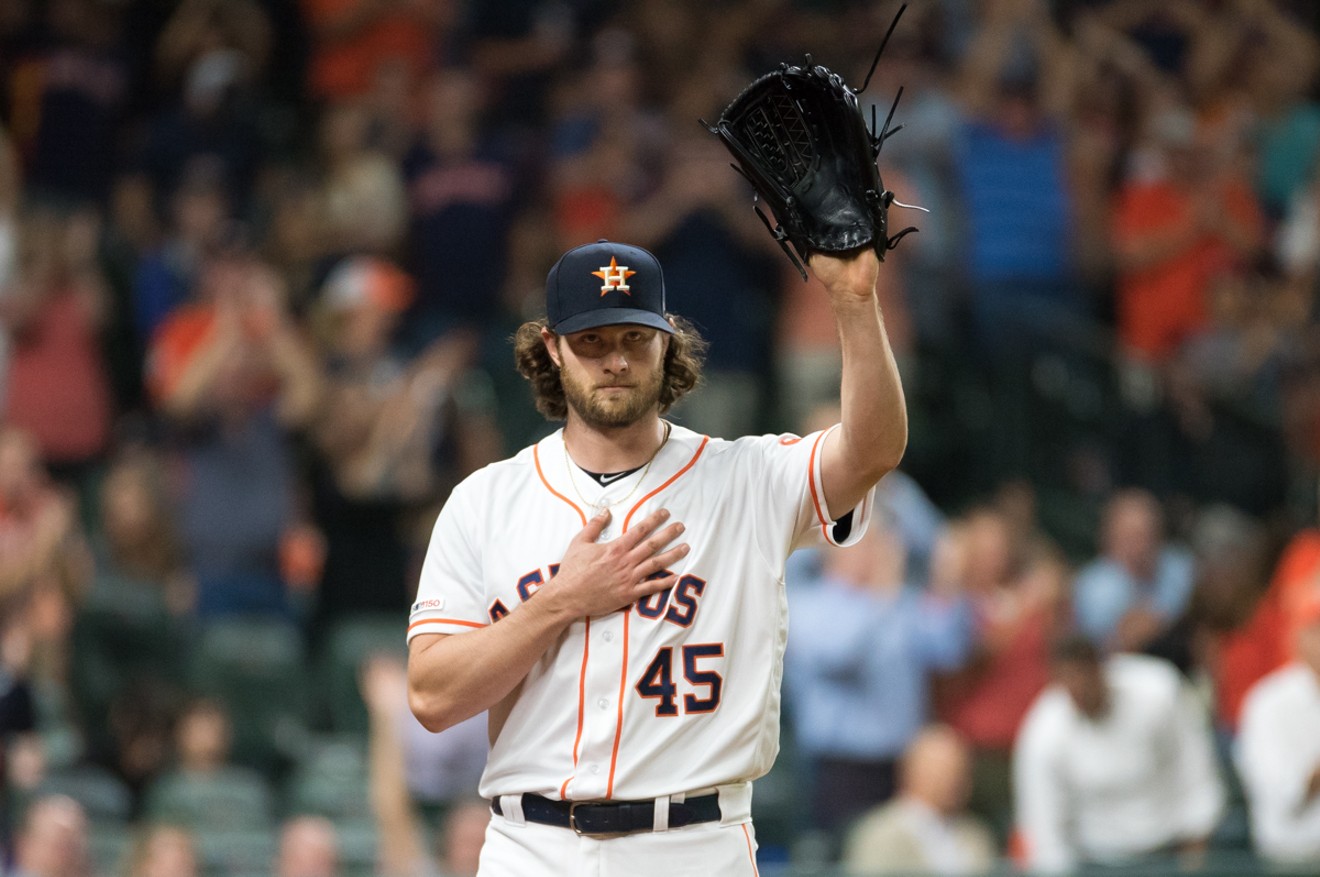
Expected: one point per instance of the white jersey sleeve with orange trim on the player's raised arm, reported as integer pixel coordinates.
(789, 493)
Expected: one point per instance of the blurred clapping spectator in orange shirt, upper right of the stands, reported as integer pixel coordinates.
(1174, 234)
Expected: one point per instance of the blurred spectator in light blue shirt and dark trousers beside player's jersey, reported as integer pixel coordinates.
(857, 669)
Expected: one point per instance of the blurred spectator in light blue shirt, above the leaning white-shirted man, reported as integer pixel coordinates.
(1140, 584)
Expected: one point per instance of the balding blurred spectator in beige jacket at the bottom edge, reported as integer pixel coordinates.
(926, 829)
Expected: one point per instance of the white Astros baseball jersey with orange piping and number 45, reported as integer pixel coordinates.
(678, 693)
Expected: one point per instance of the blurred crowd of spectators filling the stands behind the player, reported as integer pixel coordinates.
(259, 266)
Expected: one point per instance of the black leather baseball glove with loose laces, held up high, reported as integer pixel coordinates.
(799, 138)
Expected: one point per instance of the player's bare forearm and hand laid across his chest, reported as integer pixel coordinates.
(452, 678)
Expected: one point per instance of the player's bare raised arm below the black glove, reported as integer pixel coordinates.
(873, 434)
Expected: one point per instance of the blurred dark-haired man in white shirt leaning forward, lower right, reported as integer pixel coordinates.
(1115, 764)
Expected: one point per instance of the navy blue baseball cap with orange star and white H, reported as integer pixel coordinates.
(605, 285)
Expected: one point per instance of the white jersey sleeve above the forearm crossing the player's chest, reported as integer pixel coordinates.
(451, 594)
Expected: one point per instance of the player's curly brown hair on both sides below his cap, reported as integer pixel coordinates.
(682, 367)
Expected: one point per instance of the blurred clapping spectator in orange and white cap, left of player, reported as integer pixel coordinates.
(386, 434)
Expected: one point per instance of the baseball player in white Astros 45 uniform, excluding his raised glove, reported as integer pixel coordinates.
(614, 594)
